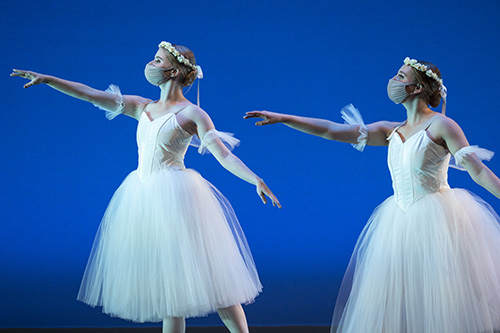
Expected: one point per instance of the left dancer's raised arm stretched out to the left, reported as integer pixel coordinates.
(132, 105)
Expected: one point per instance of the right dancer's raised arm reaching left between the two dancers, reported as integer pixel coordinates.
(377, 132)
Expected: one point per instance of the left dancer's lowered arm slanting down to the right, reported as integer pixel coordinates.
(206, 132)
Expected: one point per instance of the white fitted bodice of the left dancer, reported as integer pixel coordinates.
(162, 144)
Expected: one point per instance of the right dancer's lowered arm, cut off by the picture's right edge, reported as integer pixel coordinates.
(456, 141)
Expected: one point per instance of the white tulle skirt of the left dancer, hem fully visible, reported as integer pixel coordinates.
(169, 246)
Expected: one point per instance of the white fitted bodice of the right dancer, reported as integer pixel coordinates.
(418, 167)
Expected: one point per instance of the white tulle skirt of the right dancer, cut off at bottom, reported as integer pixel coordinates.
(434, 268)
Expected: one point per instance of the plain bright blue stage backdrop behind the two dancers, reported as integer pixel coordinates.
(61, 160)
